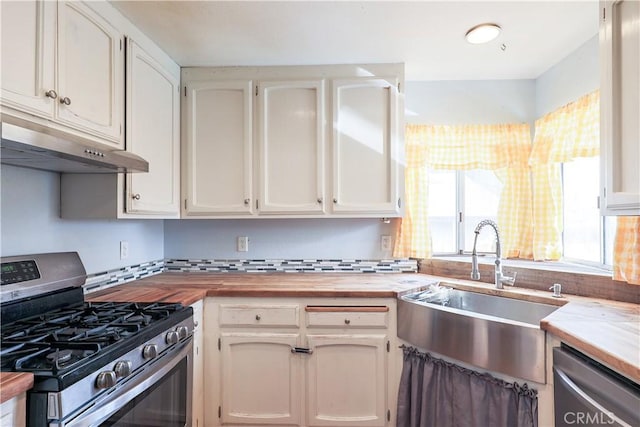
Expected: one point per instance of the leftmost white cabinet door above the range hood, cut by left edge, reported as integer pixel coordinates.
(28, 49)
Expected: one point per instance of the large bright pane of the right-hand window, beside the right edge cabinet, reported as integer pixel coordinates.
(582, 221)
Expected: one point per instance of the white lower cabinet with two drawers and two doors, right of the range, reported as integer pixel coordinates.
(299, 362)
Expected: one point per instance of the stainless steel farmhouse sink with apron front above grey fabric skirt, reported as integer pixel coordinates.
(496, 333)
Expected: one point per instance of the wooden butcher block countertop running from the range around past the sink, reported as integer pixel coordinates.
(607, 330)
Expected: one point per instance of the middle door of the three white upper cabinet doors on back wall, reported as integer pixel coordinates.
(291, 140)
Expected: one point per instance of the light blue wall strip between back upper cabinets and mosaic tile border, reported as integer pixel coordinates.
(277, 238)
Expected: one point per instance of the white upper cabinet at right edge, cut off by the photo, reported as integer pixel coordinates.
(620, 106)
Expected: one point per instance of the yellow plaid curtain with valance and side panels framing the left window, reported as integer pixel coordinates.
(502, 148)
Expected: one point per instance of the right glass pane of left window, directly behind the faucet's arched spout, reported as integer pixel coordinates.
(481, 196)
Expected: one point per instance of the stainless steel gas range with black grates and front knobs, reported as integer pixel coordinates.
(95, 364)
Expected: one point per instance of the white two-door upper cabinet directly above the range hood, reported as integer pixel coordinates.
(64, 63)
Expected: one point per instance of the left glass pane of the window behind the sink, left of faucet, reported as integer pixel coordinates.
(442, 210)
